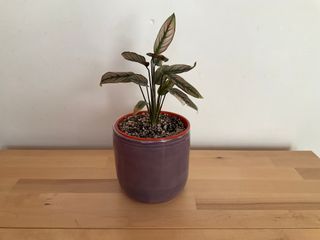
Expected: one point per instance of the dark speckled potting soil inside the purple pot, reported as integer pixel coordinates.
(139, 126)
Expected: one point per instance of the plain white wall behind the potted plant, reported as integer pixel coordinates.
(258, 69)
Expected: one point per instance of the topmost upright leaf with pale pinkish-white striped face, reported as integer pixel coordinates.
(165, 35)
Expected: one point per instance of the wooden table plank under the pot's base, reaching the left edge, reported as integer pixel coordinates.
(88, 202)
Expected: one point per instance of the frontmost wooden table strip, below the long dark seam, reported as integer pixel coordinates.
(155, 234)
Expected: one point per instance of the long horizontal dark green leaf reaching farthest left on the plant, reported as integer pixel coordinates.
(123, 77)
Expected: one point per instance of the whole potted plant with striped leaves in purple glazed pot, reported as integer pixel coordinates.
(152, 147)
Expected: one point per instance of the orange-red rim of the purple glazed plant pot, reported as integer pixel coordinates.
(172, 137)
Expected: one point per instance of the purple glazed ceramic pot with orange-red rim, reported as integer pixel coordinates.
(152, 170)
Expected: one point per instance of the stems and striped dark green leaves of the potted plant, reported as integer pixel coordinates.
(161, 80)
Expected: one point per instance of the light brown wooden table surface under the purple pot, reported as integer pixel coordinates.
(74, 194)
